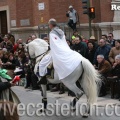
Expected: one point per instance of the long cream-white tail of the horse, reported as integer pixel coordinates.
(90, 80)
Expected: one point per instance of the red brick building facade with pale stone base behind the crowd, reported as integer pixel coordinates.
(22, 17)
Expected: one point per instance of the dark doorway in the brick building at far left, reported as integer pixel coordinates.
(3, 22)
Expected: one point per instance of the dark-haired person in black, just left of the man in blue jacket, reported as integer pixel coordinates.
(90, 51)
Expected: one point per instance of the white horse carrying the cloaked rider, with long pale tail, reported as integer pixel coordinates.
(85, 73)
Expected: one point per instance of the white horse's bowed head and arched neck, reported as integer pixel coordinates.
(37, 47)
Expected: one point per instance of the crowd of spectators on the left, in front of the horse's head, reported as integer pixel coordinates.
(13, 56)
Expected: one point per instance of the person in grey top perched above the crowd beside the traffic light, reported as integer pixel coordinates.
(73, 17)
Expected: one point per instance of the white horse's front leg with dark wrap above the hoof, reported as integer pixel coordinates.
(44, 99)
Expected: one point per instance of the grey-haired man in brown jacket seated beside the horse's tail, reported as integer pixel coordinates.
(104, 68)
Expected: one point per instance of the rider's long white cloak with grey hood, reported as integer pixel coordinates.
(65, 60)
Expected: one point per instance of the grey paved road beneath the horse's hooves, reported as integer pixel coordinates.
(27, 96)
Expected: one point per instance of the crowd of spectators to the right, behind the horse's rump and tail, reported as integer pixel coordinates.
(104, 54)
